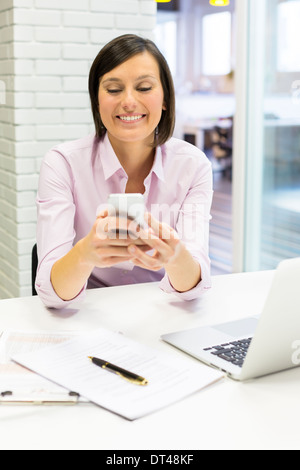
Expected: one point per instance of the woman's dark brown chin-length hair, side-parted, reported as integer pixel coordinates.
(114, 54)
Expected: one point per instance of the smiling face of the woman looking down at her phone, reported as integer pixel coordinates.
(131, 99)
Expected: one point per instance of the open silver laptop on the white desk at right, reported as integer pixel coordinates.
(256, 346)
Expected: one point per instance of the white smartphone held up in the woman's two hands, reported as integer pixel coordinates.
(131, 206)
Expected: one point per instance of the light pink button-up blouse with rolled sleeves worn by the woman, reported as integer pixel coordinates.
(77, 177)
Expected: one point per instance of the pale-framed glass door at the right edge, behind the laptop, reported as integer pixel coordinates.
(268, 158)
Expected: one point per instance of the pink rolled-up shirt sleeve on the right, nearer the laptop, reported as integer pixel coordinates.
(193, 229)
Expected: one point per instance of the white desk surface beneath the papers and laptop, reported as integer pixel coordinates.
(261, 414)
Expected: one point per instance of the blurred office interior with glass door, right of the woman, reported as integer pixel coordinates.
(236, 69)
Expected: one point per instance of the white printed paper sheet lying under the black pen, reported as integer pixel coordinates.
(170, 378)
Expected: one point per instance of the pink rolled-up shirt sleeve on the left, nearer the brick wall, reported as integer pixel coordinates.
(55, 225)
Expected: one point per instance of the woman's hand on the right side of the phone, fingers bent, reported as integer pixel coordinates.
(161, 238)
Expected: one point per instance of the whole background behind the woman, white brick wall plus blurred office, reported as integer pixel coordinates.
(236, 67)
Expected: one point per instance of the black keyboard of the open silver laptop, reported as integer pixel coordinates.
(234, 352)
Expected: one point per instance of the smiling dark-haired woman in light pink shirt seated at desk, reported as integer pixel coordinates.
(133, 105)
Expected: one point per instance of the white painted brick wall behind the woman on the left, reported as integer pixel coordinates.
(46, 49)
